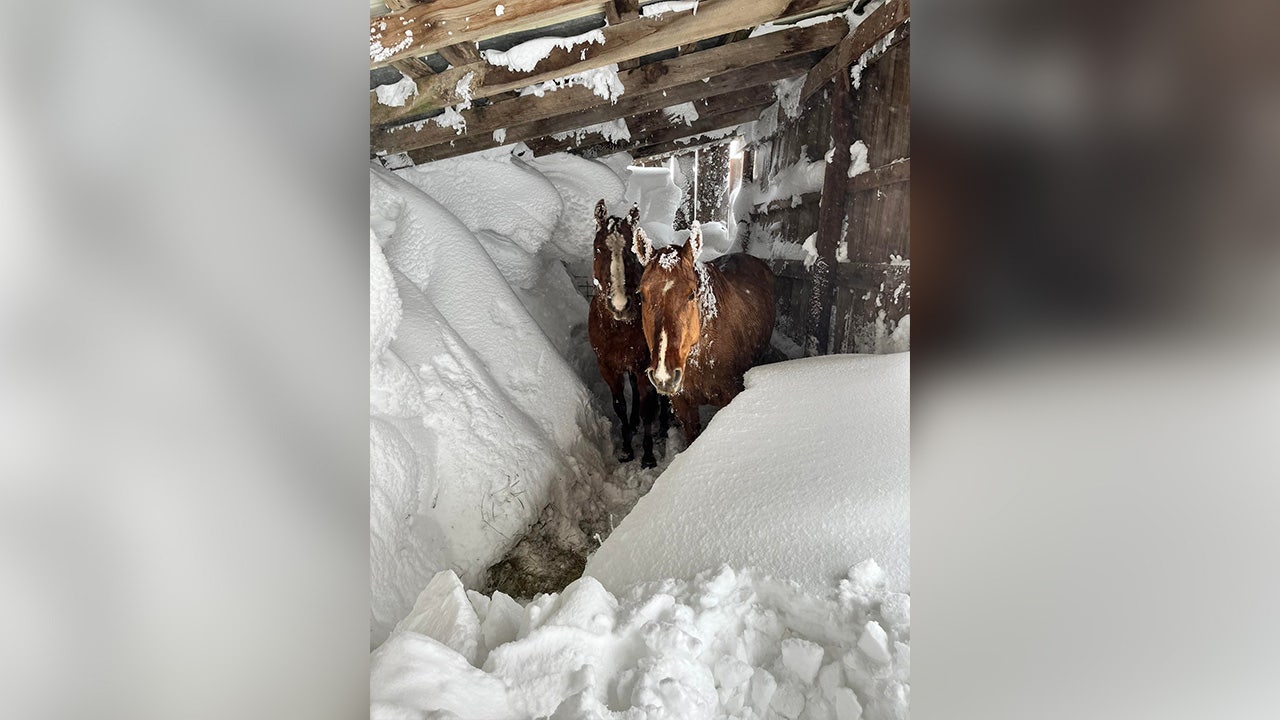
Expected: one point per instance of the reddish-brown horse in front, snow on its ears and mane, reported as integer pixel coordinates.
(706, 323)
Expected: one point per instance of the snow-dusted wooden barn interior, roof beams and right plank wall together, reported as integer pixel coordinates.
(799, 134)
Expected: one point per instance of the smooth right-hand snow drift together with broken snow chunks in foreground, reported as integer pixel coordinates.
(812, 630)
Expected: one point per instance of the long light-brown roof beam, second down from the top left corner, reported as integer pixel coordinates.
(624, 42)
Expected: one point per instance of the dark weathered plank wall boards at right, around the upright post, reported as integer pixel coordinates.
(874, 286)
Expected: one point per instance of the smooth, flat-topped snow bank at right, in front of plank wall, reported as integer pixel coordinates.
(806, 473)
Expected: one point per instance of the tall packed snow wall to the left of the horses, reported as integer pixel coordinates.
(479, 420)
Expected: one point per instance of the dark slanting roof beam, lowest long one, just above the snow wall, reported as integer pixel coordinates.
(428, 135)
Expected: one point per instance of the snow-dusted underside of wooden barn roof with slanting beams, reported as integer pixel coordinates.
(598, 76)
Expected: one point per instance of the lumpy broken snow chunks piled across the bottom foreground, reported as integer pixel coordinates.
(724, 645)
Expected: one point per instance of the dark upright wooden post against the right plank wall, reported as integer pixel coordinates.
(831, 217)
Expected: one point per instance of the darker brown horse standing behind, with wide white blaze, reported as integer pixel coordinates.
(614, 327)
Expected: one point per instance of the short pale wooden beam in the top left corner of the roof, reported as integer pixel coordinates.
(426, 28)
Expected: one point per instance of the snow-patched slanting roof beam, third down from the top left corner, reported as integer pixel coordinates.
(655, 78)
